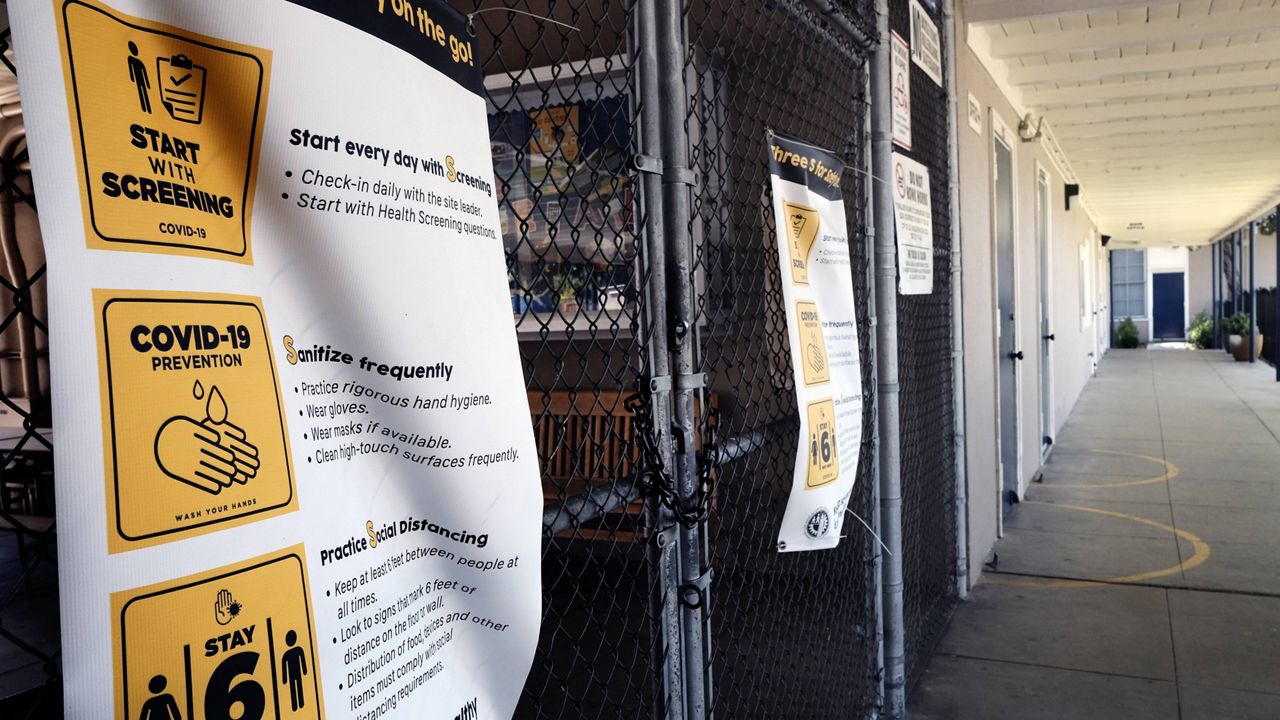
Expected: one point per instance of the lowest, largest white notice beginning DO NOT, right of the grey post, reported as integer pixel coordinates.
(913, 217)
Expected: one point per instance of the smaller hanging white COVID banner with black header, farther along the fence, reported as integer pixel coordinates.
(822, 329)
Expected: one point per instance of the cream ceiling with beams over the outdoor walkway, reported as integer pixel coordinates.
(1167, 113)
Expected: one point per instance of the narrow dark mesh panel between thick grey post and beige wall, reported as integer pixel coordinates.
(926, 382)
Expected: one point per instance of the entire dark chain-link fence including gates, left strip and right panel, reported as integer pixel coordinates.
(573, 97)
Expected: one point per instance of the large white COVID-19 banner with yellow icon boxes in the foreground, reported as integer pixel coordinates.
(296, 470)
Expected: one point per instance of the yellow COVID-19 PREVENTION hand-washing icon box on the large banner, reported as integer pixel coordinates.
(194, 422)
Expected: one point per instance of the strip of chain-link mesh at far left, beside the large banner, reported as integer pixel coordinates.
(30, 657)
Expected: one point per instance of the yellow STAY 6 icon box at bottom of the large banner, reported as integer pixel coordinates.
(237, 639)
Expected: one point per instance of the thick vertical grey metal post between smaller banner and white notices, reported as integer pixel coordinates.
(886, 367)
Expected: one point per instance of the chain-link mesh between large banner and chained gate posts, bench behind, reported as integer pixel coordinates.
(564, 131)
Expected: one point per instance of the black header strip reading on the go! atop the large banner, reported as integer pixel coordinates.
(429, 30)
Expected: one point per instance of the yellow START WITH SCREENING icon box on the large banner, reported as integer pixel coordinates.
(167, 127)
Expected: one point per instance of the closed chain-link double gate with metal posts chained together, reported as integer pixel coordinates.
(666, 422)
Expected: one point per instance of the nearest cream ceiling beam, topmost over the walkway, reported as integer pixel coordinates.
(1224, 24)
